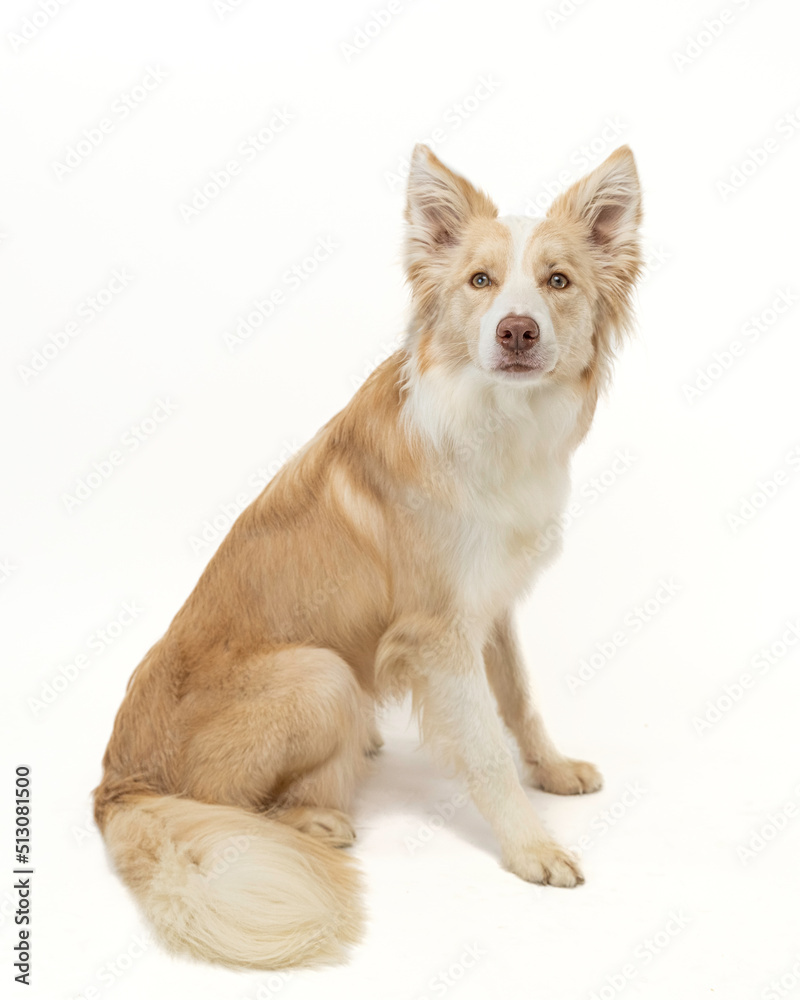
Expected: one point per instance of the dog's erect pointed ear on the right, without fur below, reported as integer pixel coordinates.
(608, 201)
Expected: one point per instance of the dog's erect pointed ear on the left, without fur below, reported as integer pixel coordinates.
(440, 203)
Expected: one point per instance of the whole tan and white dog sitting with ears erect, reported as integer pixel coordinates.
(384, 558)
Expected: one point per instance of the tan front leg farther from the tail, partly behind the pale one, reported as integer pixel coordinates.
(549, 768)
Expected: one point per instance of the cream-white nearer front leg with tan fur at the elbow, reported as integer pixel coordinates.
(446, 673)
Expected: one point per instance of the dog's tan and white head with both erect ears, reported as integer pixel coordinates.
(518, 300)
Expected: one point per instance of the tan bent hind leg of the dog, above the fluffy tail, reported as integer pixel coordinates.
(292, 743)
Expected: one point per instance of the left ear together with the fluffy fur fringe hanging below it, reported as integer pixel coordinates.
(439, 207)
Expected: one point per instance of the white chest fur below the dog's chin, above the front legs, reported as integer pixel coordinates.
(501, 461)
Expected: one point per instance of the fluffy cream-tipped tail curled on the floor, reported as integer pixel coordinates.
(233, 887)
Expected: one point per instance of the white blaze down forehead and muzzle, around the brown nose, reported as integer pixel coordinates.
(518, 296)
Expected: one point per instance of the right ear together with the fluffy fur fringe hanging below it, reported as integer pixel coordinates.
(606, 207)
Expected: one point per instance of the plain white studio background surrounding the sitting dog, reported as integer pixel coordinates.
(697, 104)
